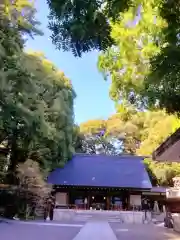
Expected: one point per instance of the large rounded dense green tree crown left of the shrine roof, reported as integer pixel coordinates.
(38, 112)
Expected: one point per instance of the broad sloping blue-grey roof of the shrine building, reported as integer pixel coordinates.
(102, 171)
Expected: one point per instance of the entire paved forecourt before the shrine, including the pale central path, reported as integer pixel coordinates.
(96, 230)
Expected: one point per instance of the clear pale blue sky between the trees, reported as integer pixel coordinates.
(92, 91)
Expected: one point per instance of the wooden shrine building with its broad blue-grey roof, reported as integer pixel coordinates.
(102, 182)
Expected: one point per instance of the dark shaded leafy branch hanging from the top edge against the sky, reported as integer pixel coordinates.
(81, 26)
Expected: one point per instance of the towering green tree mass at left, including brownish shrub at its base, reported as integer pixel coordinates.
(36, 110)
